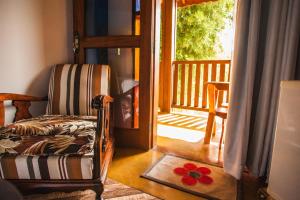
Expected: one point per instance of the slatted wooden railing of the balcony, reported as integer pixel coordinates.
(189, 78)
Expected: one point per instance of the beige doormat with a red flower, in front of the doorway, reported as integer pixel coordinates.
(193, 177)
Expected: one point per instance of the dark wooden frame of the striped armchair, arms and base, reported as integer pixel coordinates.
(103, 147)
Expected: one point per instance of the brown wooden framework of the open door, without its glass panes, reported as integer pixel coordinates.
(144, 137)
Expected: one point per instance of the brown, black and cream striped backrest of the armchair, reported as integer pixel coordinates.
(73, 86)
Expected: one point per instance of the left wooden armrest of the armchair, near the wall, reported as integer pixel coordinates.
(21, 102)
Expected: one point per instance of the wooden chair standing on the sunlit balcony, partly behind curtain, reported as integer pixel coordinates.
(216, 108)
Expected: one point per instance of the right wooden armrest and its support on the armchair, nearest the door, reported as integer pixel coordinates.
(103, 136)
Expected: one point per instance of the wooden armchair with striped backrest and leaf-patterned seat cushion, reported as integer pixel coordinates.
(70, 147)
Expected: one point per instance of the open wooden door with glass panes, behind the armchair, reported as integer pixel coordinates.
(122, 34)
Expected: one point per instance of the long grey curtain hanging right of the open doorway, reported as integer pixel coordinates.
(266, 51)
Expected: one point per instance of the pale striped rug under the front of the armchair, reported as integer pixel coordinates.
(113, 190)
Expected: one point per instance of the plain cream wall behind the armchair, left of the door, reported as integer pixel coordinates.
(34, 35)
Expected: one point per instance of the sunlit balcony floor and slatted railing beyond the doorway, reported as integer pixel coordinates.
(186, 123)
